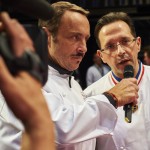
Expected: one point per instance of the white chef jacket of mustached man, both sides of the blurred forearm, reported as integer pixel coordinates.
(77, 121)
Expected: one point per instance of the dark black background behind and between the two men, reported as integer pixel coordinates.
(138, 10)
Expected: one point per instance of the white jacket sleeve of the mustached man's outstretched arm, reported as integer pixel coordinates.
(76, 123)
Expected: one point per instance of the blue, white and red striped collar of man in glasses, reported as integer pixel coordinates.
(139, 75)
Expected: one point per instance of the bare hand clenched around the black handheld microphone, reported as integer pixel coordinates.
(126, 91)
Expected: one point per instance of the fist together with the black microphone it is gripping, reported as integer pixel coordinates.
(126, 92)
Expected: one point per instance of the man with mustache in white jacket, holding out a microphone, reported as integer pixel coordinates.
(78, 120)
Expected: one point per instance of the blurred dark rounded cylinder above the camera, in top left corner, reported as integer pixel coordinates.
(36, 8)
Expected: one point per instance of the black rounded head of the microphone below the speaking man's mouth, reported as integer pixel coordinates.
(128, 71)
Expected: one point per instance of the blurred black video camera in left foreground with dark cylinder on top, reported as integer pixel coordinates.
(35, 64)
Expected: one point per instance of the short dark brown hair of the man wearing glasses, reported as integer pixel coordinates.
(110, 18)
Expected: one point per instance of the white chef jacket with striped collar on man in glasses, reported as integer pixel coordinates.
(127, 136)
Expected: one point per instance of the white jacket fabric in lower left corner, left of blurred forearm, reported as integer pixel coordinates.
(10, 128)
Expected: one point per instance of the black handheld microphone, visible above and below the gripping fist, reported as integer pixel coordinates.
(128, 73)
